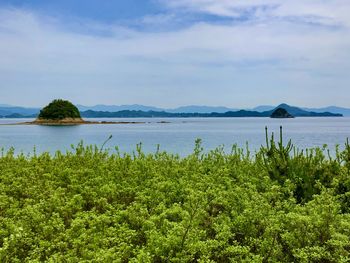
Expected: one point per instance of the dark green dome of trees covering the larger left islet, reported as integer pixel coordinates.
(59, 110)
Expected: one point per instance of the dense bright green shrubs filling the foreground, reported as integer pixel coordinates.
(278, 205)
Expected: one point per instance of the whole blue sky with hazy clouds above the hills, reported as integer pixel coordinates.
(169, 53)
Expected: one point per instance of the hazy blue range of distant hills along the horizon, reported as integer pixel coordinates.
(137, 110)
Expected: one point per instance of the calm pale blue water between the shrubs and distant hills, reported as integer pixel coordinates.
(178, 136)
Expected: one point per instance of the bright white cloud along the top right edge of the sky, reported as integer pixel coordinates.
(327, 12)
